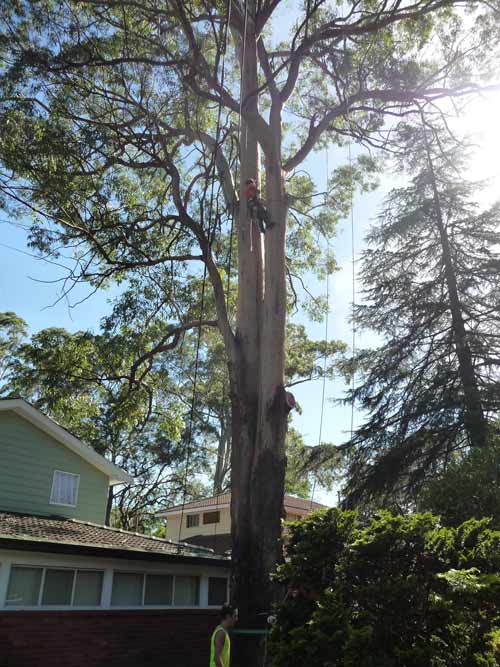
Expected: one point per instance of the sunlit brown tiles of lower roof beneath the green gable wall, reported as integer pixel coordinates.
(54, 531)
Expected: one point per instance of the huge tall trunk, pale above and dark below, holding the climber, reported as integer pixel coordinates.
(259, 414)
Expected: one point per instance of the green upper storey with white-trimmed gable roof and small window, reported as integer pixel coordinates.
(46, 471)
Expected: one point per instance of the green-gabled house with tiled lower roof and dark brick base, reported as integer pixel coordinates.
(93, 586)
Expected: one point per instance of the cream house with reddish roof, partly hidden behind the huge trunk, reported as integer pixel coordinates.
(207, 522)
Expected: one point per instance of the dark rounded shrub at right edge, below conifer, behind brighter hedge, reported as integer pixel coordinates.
(468, 487)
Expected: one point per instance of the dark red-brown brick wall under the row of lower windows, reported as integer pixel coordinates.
(106, 638)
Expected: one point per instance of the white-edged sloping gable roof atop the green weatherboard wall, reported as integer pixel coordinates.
(50, 427)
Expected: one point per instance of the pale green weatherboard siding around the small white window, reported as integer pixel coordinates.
(28, 458)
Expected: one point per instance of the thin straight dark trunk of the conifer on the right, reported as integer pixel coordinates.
(475, 423)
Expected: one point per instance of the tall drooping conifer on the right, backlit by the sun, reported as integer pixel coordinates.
(431, 292)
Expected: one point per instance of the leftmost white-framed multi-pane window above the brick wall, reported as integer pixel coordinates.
(46, 587)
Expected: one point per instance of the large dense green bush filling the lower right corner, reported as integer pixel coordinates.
(400, 591)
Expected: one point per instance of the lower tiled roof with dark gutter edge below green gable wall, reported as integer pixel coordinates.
(37, 533)
